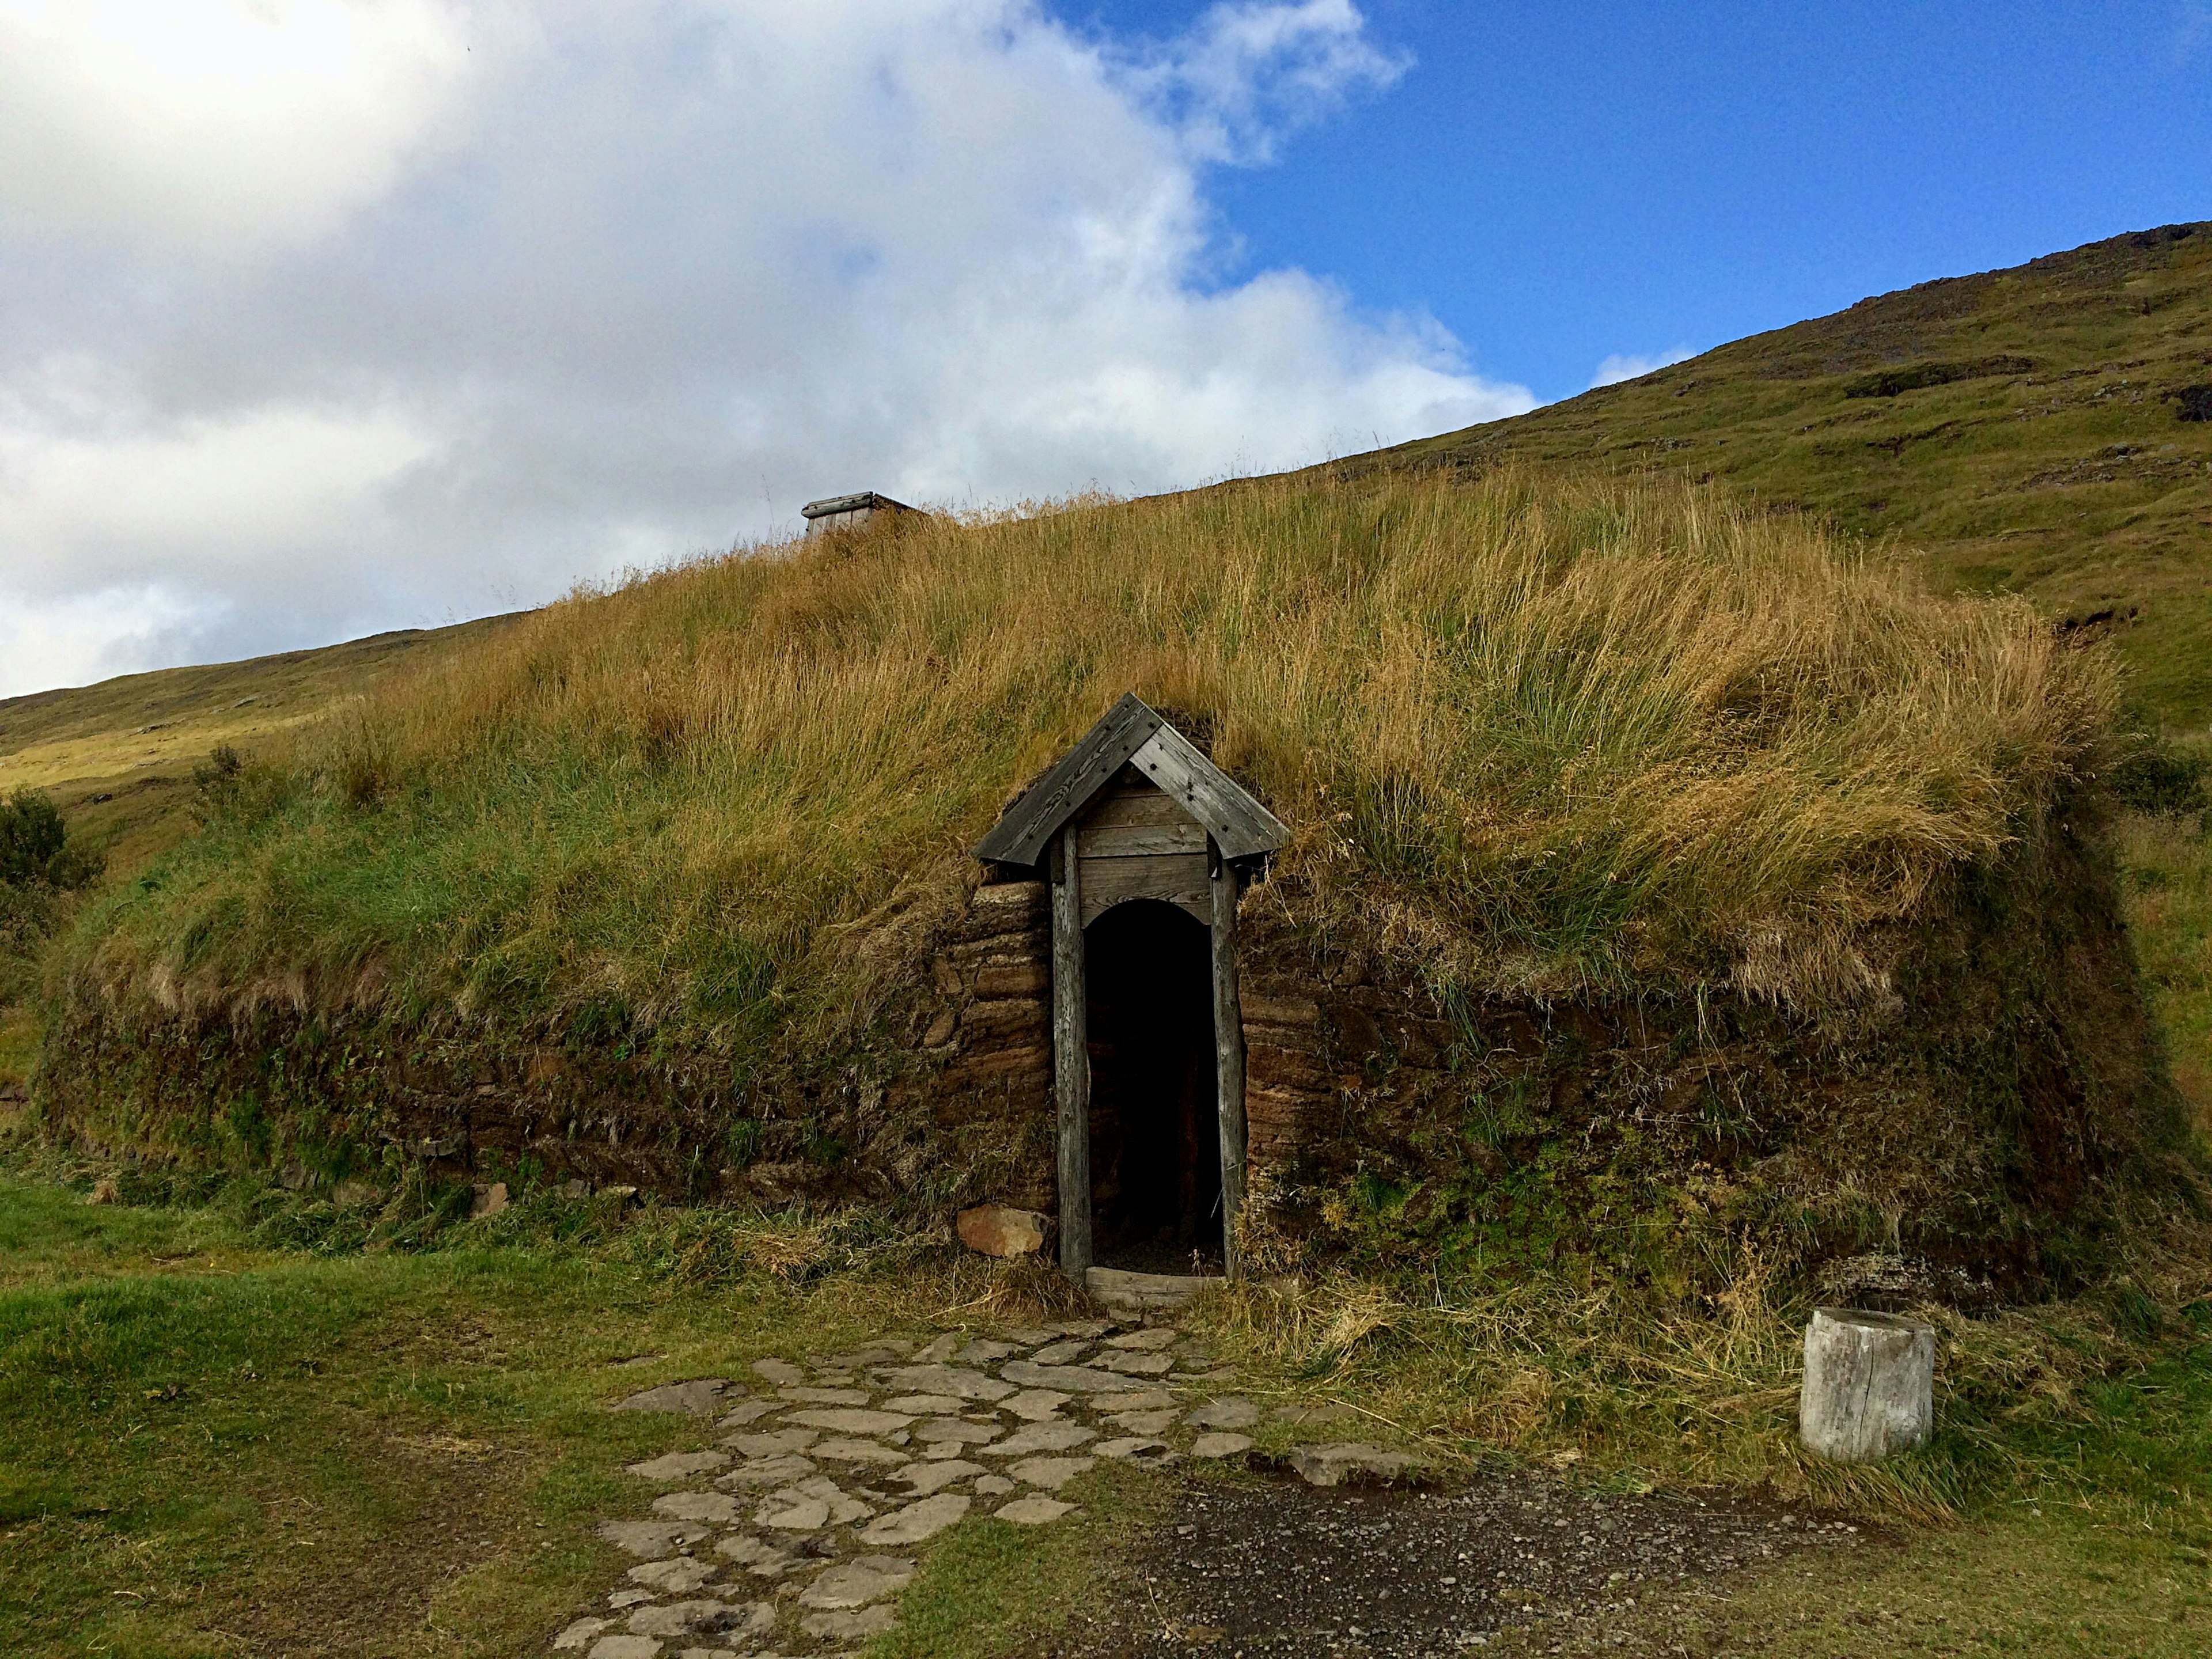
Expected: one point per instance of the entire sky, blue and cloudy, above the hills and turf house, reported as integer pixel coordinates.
(322, 317)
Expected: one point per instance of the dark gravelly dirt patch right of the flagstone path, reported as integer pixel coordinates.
(1284, 1569)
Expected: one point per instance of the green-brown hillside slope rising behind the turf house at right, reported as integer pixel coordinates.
(2018, 432)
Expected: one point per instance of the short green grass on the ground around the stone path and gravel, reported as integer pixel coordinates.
(218, 1448)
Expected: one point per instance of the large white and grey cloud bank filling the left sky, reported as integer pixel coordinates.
(647, 282)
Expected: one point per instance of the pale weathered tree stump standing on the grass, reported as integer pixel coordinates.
(1870, 1386)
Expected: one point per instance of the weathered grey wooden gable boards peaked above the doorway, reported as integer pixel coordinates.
(1134, 735)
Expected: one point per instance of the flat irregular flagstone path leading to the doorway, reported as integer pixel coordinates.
(793, 1534)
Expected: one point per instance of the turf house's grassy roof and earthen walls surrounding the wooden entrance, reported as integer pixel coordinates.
(1623, 789)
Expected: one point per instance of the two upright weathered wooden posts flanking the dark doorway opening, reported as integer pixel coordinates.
(1072, 1054)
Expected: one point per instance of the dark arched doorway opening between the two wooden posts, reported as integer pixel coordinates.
(1156, 1131)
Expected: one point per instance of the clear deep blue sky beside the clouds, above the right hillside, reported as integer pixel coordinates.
(1567, 182)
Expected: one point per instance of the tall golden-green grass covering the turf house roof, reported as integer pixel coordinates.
(1536, 733)
